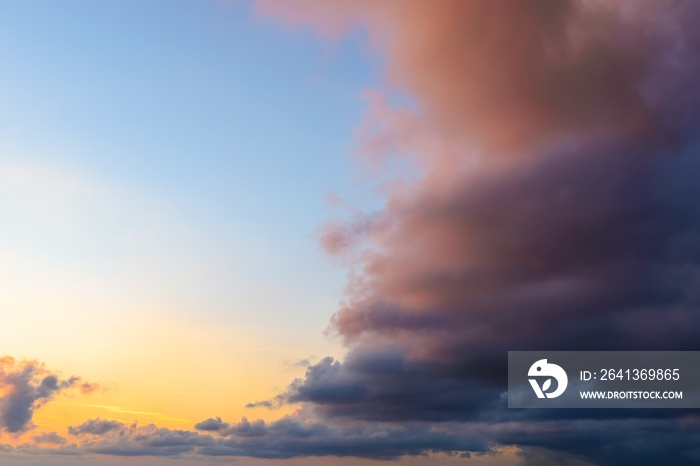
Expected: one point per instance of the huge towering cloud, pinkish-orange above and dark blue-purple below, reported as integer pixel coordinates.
(556, 209)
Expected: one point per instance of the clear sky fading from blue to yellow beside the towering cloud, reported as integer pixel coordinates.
(163, 173)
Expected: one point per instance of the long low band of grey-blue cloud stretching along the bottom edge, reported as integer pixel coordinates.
(306, 434)
